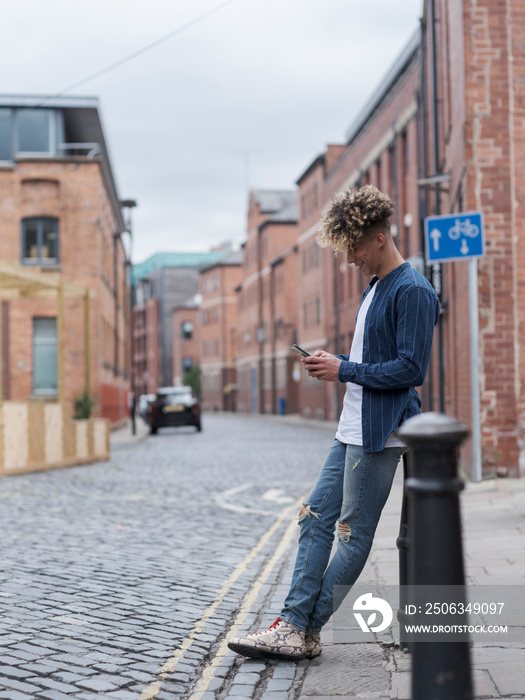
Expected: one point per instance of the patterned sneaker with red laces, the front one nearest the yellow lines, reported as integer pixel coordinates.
(280, 641)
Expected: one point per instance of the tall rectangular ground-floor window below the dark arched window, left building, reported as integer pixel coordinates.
(45, 376)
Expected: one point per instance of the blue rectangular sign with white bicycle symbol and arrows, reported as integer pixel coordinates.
(454, 237)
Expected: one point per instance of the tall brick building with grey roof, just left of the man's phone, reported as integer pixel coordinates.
(267, 304)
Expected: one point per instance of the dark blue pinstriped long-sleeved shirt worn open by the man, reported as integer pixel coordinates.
(398, 335)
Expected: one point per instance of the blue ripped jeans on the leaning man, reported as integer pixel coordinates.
(352, 488)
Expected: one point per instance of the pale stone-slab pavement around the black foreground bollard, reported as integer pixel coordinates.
(494, 541)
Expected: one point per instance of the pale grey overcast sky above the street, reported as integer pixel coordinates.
(247, 97)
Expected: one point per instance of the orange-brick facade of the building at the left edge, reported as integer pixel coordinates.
(73, 191)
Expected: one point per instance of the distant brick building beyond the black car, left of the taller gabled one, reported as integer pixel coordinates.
(218, 333)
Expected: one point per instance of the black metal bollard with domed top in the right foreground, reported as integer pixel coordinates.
(440, 670)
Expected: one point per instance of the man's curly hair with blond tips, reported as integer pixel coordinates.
(350, 215)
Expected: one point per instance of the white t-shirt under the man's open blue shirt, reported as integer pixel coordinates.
(350, 429)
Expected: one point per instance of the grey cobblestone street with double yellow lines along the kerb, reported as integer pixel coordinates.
(120, 579)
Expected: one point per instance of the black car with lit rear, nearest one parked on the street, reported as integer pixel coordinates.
(174, 405)
